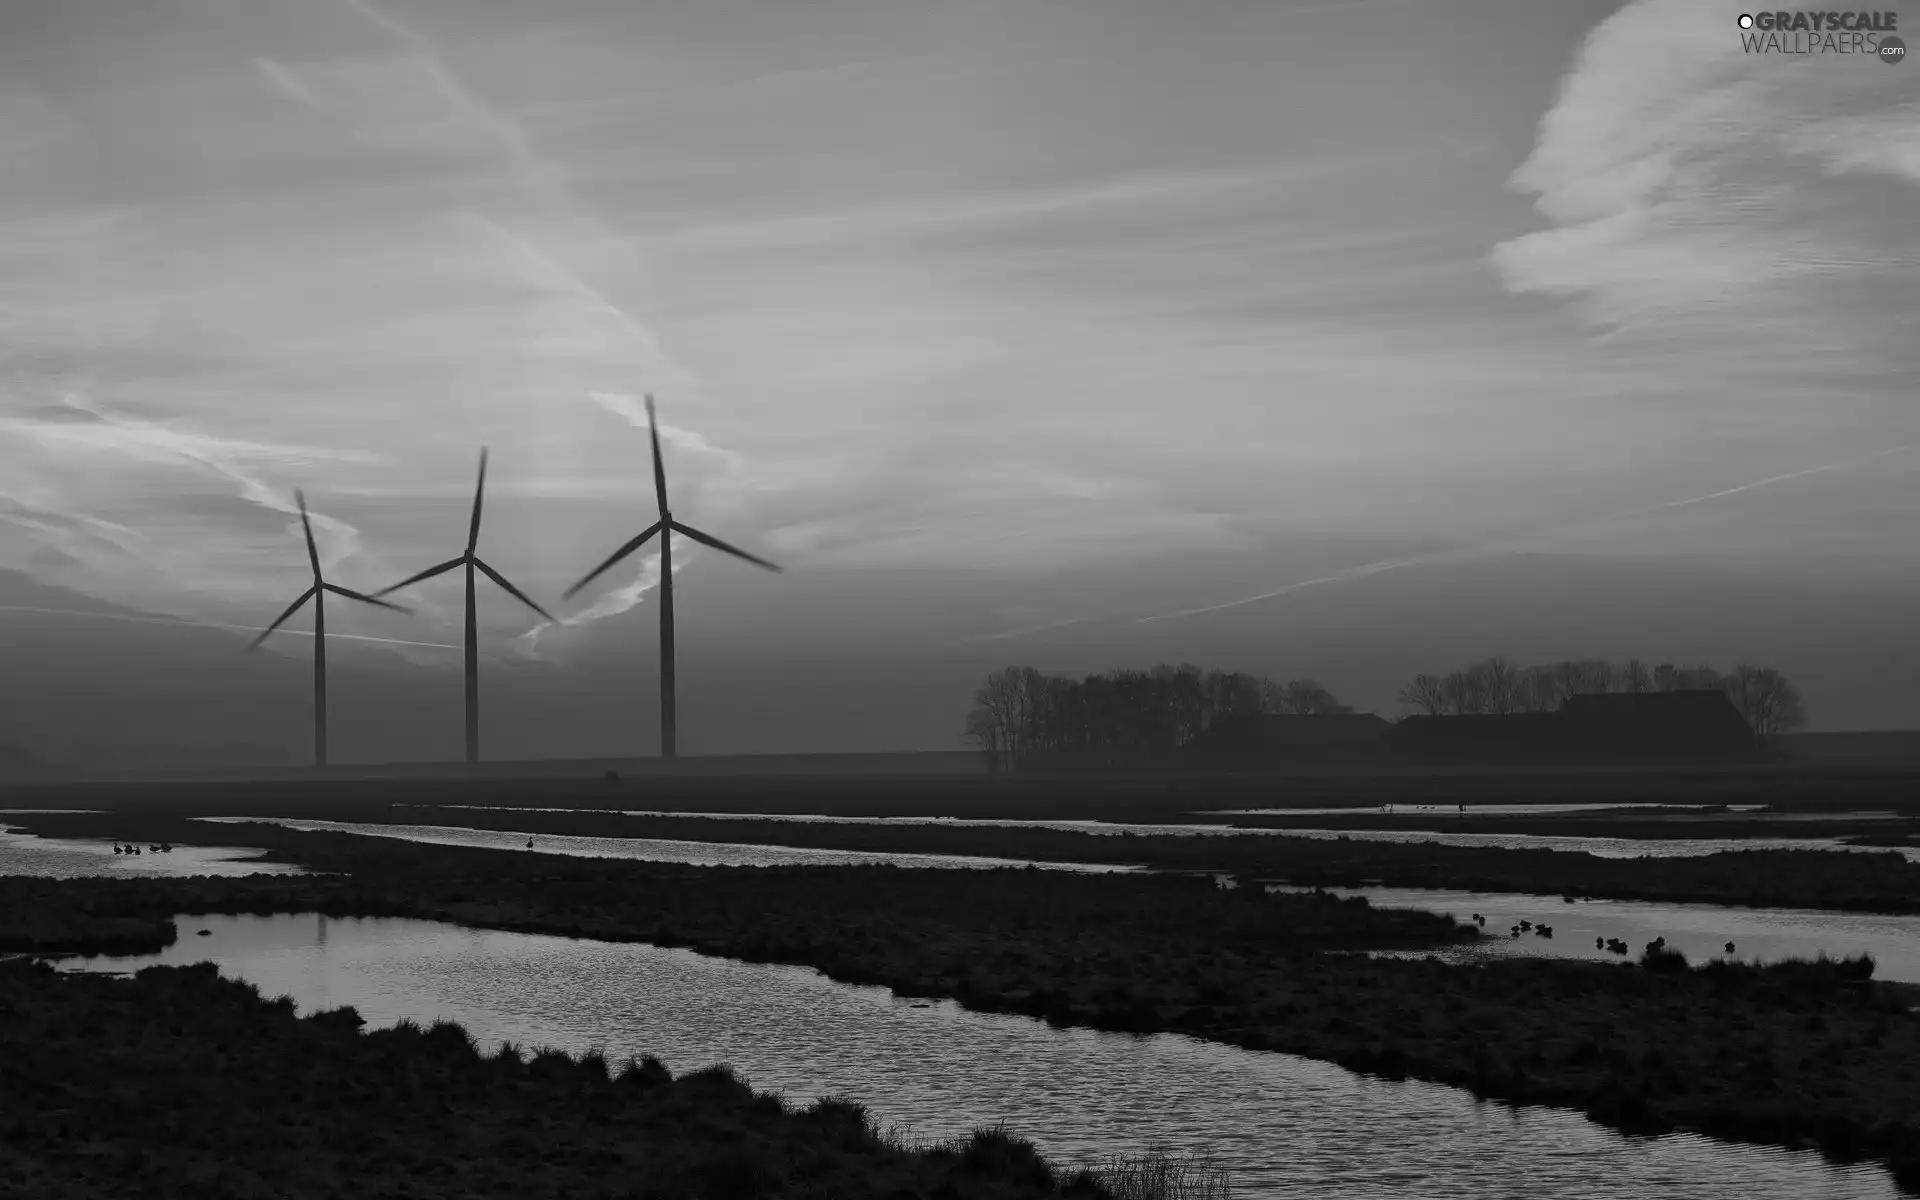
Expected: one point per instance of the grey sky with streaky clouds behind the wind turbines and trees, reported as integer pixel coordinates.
(1351, 339)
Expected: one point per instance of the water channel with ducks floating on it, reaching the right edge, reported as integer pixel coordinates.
(1696, 930)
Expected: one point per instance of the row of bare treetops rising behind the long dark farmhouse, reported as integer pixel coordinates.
(1499, 686)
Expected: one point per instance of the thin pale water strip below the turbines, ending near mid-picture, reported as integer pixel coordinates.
(652, 850)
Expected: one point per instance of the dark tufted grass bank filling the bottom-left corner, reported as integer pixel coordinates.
(183, 1084)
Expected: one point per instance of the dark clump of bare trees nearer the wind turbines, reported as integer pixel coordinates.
(1124, 717)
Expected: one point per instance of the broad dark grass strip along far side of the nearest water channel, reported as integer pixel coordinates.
(1800, 1055)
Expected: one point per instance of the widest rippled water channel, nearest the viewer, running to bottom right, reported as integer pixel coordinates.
(1287, 1128)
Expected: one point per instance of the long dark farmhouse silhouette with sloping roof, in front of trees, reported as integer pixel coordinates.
(1596, 731)
